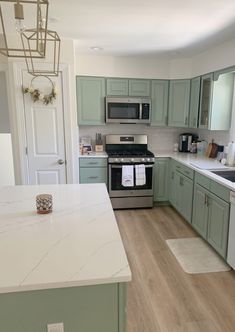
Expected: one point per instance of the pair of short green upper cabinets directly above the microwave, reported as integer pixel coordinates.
(127, 87)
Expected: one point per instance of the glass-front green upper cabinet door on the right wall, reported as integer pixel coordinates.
(205, 100)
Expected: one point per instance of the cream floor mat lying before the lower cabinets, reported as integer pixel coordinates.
(196, 256)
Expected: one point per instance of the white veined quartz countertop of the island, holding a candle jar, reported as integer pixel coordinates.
(77, 244)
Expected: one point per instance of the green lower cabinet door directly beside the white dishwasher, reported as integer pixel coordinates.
(218, 222)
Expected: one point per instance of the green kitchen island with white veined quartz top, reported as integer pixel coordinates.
(68, 266)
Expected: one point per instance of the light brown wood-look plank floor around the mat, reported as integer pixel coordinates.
(161, 296)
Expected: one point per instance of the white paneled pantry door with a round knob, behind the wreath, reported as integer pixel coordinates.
(44, 126)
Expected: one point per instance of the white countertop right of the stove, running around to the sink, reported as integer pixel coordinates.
(191, 159)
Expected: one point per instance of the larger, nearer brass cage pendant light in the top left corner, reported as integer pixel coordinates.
(10, 43)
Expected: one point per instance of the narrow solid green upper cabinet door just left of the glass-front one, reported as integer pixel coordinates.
(194, 102)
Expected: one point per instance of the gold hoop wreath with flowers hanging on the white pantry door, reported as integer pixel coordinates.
(37, 95)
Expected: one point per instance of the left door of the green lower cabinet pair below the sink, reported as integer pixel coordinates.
(200, 210)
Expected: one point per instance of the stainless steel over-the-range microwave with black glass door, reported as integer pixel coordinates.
(128, 110)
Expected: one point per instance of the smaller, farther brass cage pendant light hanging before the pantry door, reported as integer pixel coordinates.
(48, 66)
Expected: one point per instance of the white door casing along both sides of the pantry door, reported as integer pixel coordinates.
(18, 123)
